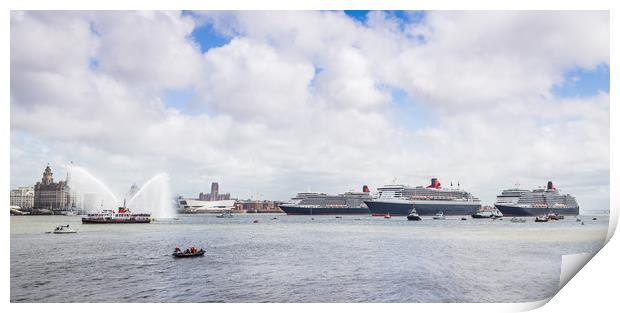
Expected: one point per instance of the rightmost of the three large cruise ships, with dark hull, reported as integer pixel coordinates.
(521, 202)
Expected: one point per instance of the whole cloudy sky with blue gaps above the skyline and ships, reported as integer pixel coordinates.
(274, 103)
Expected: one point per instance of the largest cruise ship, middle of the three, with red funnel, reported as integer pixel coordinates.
(402, 199)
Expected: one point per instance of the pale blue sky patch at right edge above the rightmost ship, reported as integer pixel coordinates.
(583, 83)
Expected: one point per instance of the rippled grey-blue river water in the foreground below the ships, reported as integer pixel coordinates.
(295, 259)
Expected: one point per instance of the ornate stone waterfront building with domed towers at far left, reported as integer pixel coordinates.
(50, 195)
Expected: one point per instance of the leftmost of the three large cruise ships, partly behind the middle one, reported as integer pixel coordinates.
(313, 203)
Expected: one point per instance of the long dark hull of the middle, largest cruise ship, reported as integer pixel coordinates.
(422, 208)
